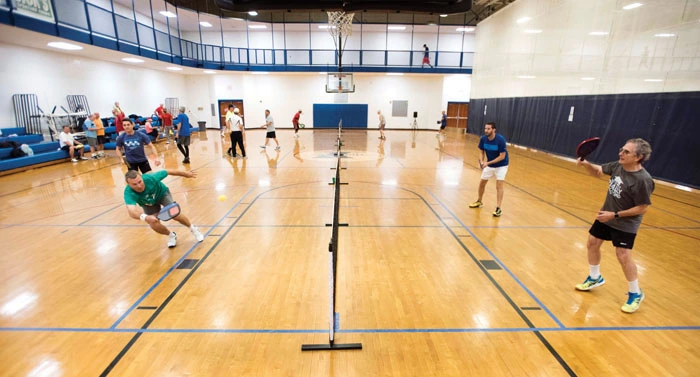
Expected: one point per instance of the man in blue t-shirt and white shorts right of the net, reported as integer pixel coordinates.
(493, 161)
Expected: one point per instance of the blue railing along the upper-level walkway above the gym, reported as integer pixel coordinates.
(88, 23)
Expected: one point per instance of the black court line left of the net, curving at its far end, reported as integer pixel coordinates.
(177, 289)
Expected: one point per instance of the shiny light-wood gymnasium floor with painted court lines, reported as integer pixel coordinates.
(427, 285)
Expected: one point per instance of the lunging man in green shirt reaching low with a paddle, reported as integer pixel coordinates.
(145, 195)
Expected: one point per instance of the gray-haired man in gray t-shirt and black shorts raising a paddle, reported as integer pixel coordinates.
(629, 196)
